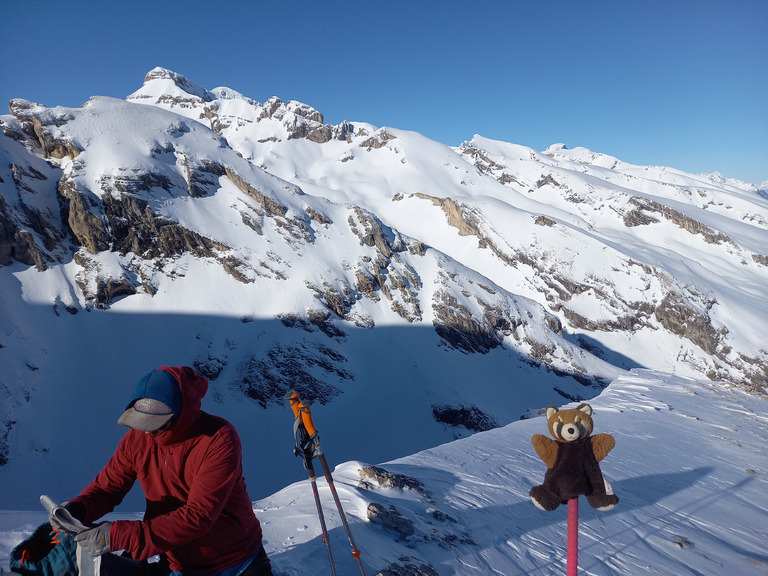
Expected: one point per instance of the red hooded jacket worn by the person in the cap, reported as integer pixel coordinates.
(198, 510)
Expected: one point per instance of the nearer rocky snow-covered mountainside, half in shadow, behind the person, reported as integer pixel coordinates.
(253, 297)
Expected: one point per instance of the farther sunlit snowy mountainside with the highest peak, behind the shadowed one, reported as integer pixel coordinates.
(544, 216)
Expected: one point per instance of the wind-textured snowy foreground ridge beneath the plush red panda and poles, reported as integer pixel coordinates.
(689, 468)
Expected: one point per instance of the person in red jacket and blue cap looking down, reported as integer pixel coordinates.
(198, 513)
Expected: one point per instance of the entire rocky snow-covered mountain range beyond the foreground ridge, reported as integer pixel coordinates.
(416, 292)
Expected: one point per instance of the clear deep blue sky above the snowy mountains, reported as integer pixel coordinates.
(680, 83)
